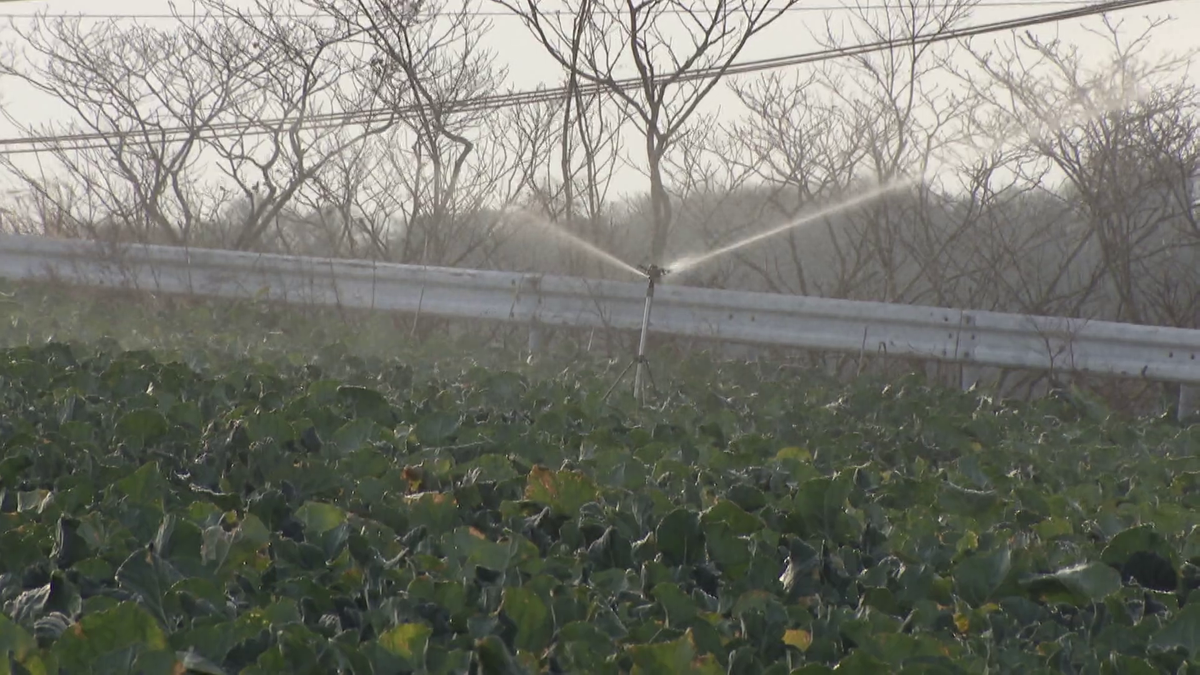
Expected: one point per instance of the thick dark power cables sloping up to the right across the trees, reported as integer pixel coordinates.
(331, 121)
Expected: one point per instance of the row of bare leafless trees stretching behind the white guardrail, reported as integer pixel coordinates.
(370, 130)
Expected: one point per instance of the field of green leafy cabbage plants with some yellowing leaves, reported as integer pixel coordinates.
(271, 497)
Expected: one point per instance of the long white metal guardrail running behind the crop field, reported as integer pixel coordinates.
(964, 337)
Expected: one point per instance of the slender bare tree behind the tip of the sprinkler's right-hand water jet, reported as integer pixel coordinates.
(909, 120)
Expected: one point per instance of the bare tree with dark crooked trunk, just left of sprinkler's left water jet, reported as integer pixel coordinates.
(453, 163)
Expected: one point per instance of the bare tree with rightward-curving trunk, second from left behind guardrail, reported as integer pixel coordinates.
(313, 104)
